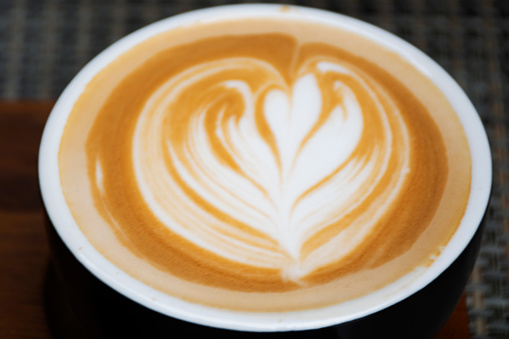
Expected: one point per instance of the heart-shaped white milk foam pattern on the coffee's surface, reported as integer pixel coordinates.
(290, 192)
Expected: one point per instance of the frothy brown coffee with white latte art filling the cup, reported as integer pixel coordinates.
(265, 164)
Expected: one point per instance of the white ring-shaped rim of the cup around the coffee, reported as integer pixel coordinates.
(86, 254)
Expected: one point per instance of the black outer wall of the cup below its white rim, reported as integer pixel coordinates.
(100, 312)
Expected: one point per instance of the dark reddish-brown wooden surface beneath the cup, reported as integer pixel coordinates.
(24, 253)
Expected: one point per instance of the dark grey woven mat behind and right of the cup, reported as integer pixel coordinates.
(44, 43)
